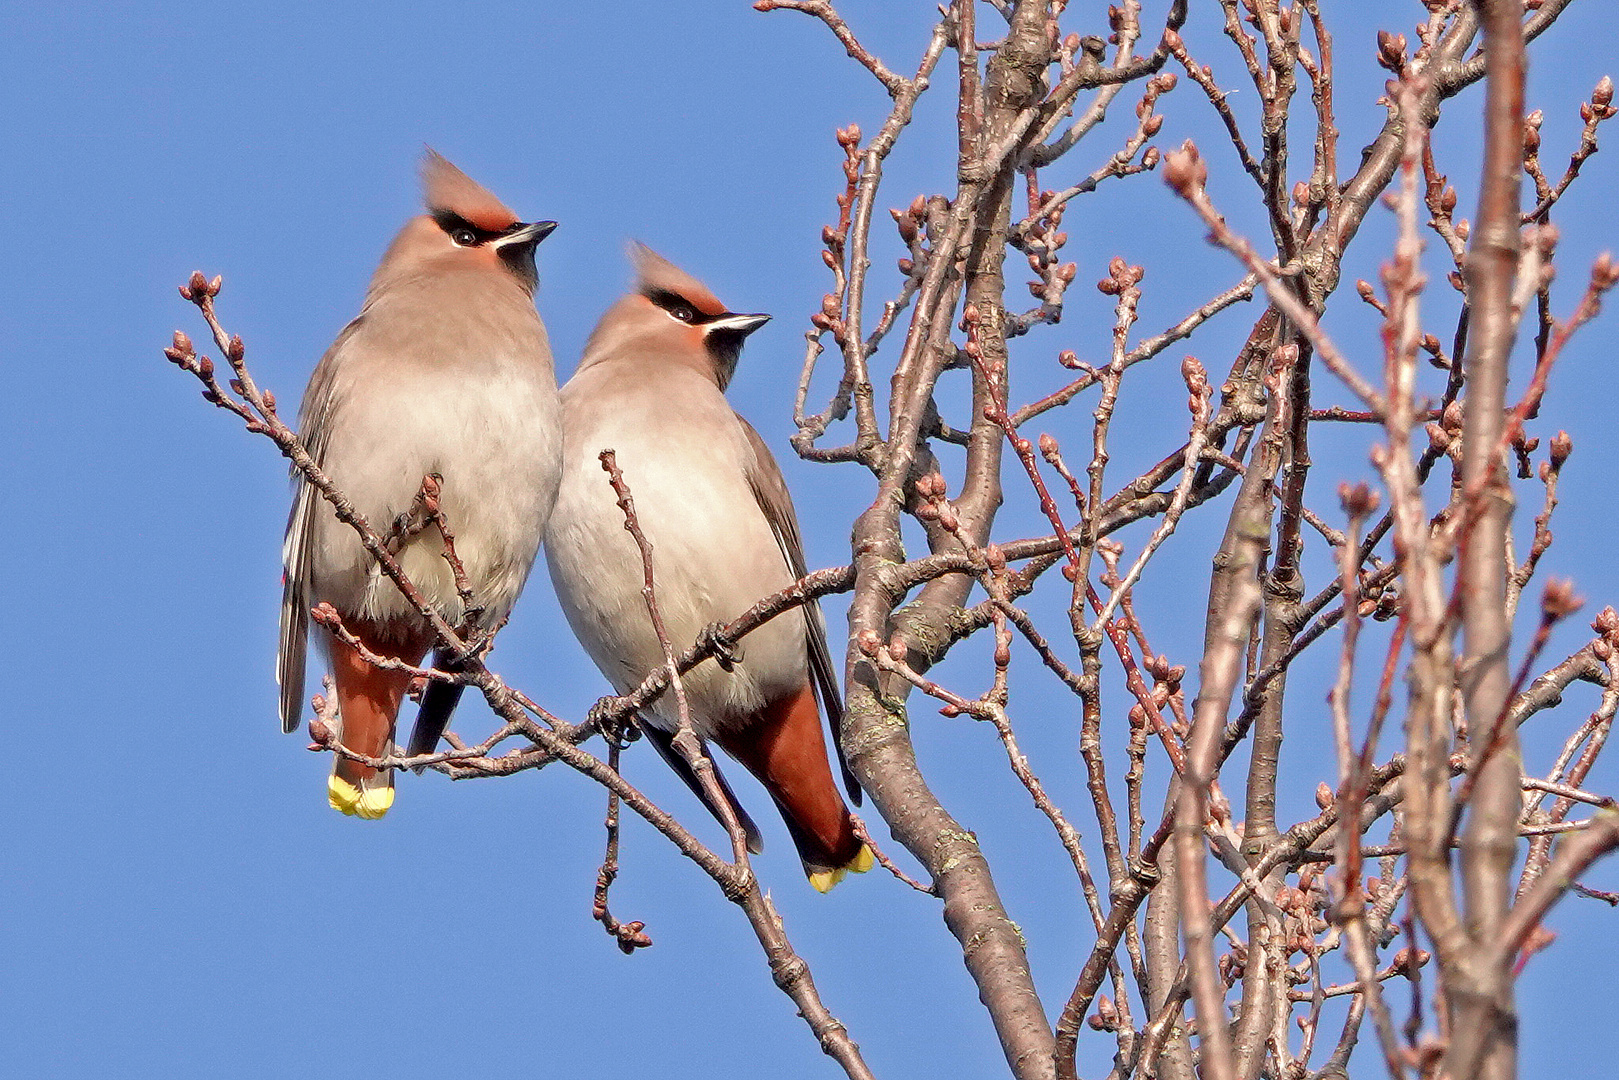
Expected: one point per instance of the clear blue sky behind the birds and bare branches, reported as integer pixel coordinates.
(177, 899)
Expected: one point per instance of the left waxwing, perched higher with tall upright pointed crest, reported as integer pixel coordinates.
(446, 372)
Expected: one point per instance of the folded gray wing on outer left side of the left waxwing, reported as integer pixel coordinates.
(297, 548)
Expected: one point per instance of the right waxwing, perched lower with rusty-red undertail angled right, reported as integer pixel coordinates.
(725, 535)
